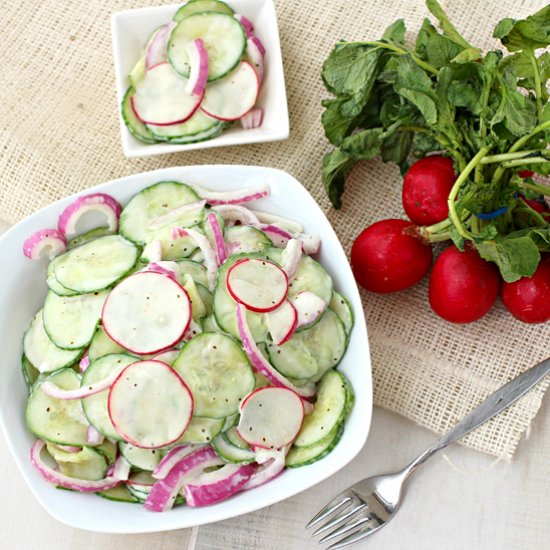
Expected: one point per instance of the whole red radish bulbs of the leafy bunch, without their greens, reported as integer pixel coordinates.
(390, 255)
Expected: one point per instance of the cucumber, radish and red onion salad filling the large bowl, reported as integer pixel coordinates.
(185, 351)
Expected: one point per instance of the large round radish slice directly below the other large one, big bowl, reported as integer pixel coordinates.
(149, 404)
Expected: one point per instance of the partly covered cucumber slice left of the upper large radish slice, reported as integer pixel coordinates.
(70, 321)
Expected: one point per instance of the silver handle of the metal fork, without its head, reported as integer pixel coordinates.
(493, 405)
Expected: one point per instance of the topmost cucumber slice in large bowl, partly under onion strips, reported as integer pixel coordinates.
(154, 201)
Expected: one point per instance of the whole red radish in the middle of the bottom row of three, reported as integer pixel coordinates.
(463, 286)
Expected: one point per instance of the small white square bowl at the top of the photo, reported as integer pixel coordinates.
(130, 31)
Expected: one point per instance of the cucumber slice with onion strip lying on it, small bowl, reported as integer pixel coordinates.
(223, 36)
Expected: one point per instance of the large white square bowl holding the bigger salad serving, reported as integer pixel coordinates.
(22, 292)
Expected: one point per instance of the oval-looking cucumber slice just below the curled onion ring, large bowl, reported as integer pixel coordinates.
(96, 265)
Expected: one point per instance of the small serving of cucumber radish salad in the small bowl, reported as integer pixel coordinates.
(197, 74)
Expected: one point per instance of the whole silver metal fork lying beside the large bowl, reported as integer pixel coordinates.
(367, 506)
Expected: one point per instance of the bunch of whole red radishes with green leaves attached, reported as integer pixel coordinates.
(470, 131)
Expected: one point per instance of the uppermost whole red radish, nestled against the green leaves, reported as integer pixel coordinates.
(426, 188)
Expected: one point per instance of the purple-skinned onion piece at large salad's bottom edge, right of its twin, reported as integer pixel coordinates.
(212, 487)
